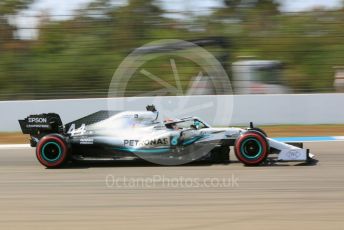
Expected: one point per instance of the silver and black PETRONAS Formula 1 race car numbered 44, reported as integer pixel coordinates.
(111, 135)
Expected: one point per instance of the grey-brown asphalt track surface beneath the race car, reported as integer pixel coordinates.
(267, 197)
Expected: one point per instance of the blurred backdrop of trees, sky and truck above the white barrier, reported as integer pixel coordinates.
(71, 49)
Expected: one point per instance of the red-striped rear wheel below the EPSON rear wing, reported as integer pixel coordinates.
(52, 151)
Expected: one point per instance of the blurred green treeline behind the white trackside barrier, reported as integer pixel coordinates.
(76, 57)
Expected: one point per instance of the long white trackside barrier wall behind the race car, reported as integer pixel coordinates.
(261, 109)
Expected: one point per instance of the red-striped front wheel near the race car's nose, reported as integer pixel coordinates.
(251, 148)
